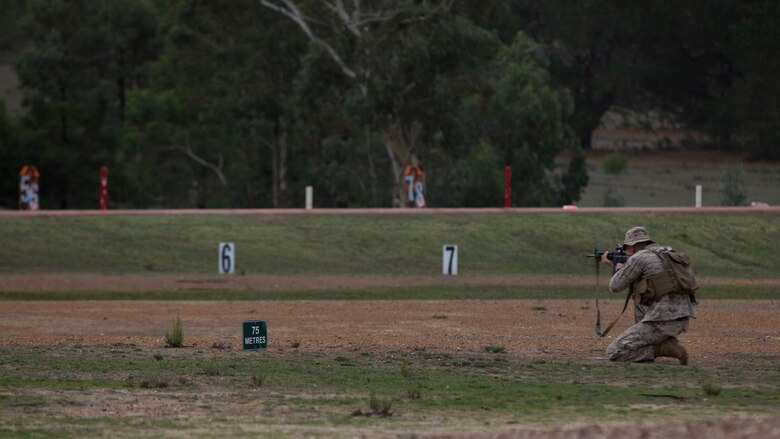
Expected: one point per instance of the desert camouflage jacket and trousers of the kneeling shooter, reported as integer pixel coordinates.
(666, 318)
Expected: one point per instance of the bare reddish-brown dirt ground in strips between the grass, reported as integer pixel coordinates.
(725, 331)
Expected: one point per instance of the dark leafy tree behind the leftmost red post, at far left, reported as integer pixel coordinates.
(84, 56)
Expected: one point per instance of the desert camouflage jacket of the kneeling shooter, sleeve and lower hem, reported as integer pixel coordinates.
(668, 307)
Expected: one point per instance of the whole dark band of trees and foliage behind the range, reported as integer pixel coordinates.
(243, 103)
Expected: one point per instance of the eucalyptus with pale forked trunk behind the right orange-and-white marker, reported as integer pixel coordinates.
(369, 42)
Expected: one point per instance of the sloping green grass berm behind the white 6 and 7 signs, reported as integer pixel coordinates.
(738, 245)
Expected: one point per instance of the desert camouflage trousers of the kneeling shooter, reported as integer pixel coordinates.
(636, 343)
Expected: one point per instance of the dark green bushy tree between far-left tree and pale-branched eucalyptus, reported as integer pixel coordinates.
(214, 123)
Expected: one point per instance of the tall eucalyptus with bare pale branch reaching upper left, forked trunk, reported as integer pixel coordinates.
(387, 53)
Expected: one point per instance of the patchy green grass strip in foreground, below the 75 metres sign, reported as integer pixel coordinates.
(442, 385)
